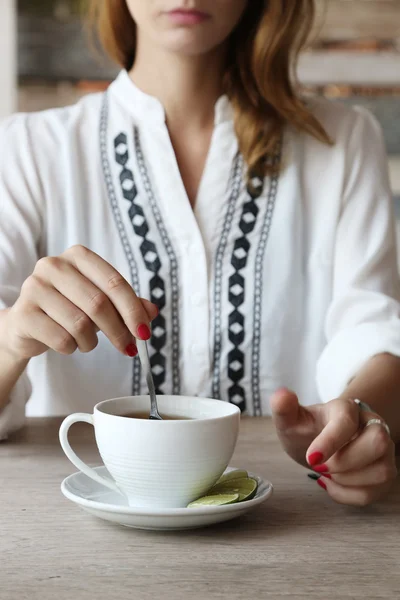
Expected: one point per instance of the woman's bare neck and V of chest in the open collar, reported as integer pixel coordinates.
(188, 88)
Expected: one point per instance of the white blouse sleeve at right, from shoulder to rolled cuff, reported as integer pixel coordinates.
(364, 317)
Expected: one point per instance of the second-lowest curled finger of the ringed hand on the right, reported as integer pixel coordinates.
(381, 472)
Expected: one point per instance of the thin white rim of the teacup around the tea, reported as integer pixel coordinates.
(231, 411)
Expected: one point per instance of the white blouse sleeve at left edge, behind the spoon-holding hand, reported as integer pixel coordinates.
(20, 232)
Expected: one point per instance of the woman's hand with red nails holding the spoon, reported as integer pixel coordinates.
(67, 300)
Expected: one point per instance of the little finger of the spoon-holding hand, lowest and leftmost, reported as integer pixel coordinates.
(44, 330)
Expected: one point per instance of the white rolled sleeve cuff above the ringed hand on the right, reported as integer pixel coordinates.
(349, 350)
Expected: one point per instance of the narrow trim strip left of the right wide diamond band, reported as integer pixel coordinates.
(235, 187)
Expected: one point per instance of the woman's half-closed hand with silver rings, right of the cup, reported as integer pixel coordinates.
(357, 463)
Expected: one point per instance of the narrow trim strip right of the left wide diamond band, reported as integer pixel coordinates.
(173, 266)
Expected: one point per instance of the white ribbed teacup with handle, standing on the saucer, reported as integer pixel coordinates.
(159, 464)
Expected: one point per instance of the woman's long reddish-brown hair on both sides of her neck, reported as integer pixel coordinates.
(259, 76)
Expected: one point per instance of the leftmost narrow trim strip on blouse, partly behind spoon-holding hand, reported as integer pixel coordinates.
(136, 388)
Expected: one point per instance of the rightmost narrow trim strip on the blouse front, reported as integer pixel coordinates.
(258, 285)
